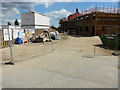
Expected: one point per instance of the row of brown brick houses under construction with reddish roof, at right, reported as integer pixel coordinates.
(92, 23)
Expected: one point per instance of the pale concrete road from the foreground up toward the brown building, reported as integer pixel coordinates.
(72, 65)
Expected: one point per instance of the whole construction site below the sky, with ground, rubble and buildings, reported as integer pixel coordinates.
(81, 53)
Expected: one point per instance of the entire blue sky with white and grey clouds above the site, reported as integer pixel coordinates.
(56, 10)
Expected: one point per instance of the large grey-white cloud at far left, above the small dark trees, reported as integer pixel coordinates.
(10, 12)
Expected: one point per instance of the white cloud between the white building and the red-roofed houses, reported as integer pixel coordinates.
(56, 15)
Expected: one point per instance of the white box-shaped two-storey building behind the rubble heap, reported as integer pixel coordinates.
(34, 20)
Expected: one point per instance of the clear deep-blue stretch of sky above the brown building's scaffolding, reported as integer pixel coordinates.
(71, 6)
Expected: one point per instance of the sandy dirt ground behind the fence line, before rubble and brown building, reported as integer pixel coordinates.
(82, 45)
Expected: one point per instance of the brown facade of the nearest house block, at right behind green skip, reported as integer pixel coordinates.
(97, 23)
